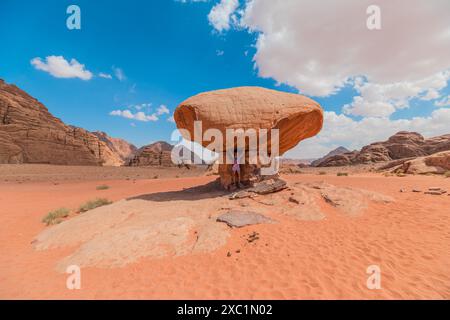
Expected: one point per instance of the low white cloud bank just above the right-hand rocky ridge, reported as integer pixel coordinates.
(341, 130)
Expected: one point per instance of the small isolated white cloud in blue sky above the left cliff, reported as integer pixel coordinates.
(59, 67)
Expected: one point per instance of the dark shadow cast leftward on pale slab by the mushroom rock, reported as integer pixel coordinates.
(207, 191)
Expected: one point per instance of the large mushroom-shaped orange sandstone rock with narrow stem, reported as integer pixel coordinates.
(295, 116)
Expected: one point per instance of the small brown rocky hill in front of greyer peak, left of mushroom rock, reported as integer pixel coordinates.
(155, 154)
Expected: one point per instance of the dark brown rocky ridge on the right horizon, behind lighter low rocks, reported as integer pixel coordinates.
(401, 145)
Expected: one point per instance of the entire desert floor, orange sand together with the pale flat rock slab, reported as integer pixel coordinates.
(321, 252)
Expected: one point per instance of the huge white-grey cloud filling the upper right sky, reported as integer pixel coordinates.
(318, 46)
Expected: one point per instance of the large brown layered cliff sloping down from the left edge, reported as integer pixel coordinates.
(29, 133)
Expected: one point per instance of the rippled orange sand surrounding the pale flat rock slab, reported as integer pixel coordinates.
(409, 239)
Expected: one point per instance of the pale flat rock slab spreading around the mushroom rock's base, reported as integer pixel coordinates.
(176, 223)
